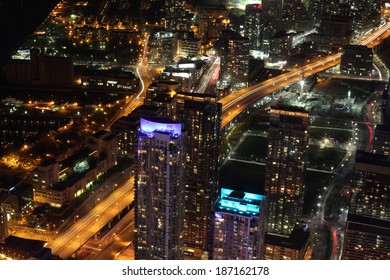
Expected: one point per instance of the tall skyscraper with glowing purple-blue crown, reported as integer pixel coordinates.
(159, 203)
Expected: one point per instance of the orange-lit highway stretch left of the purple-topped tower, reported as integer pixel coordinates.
(84, 229)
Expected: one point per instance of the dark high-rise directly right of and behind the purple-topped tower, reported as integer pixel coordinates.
(202, 122)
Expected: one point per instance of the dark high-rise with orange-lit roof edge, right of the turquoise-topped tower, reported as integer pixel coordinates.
(285, 168)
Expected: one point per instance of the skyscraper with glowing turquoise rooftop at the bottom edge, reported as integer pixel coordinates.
(239, 221)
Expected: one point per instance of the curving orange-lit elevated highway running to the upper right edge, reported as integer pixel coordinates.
(237, 102)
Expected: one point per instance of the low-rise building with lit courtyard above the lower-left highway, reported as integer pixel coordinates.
(59, 183)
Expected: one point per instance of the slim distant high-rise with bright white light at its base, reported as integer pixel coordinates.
(254, 27)
